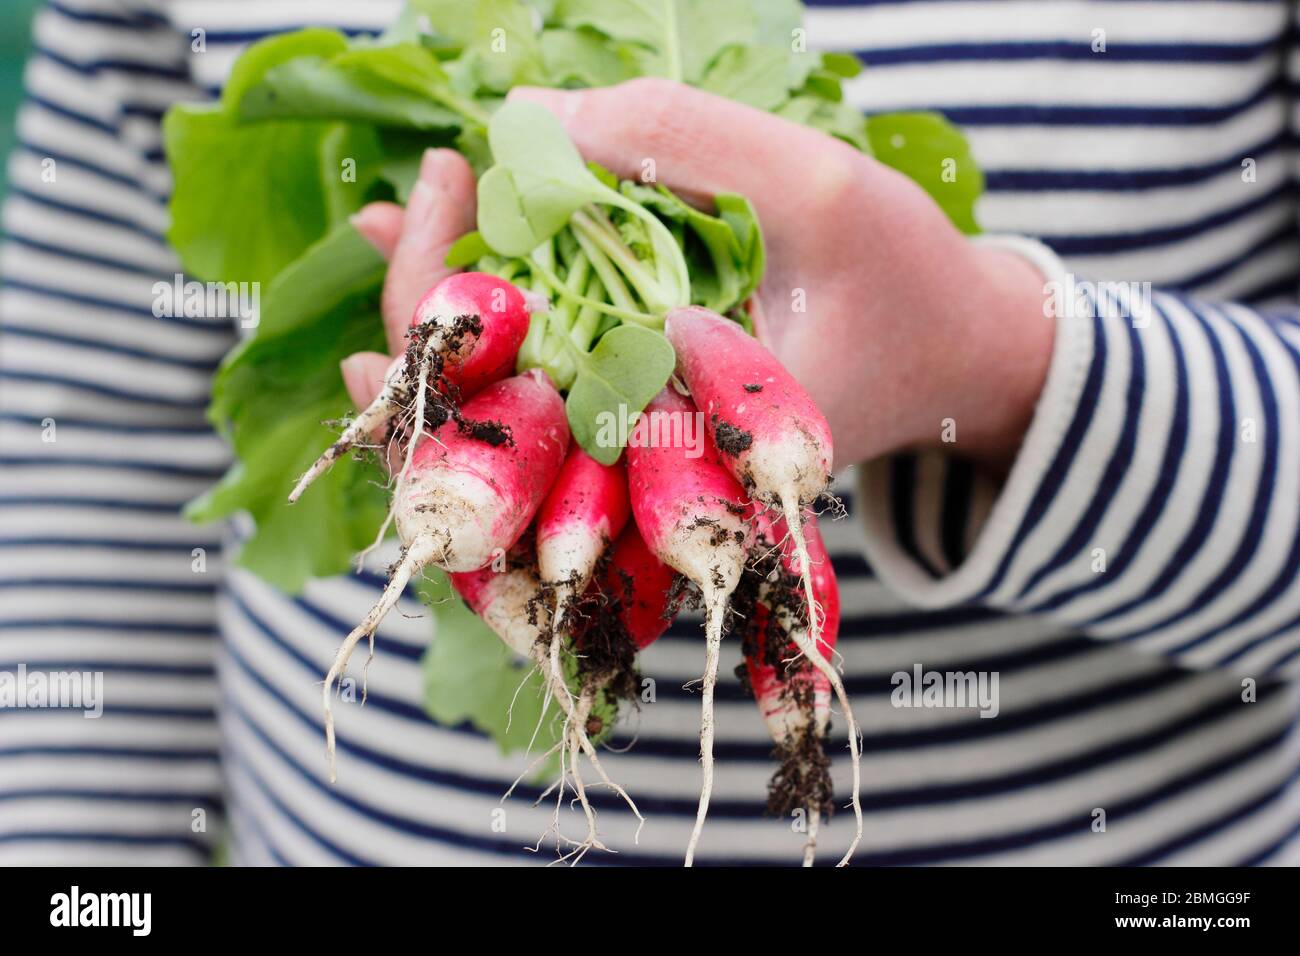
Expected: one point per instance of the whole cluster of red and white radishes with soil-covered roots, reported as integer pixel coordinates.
(539, 538)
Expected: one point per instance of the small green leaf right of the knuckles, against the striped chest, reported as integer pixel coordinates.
(935, 154)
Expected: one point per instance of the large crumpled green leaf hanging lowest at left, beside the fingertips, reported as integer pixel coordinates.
(271, 397)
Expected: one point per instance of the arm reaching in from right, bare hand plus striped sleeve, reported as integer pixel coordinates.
(1013, 447)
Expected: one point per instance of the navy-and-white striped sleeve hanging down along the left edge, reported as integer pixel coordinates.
(109, 739)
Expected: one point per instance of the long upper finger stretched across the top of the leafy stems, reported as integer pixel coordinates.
(701, 145)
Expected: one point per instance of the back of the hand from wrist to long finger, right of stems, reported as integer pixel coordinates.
(907, 322)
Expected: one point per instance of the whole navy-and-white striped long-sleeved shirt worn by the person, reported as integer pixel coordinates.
(1133, 582)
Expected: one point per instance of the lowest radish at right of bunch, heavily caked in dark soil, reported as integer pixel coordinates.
(794, 697)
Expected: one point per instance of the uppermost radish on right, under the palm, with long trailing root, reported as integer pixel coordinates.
(775, 440)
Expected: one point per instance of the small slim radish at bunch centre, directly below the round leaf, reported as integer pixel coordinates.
(582, 516)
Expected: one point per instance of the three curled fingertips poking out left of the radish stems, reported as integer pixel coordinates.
(415, 241)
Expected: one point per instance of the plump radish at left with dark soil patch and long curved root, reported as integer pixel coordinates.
(469, 494)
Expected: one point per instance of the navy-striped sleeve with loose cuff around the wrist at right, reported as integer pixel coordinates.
(1155, 500)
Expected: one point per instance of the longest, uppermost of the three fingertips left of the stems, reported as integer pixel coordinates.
(441, 210)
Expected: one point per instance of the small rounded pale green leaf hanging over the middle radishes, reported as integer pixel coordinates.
(617, 382)
